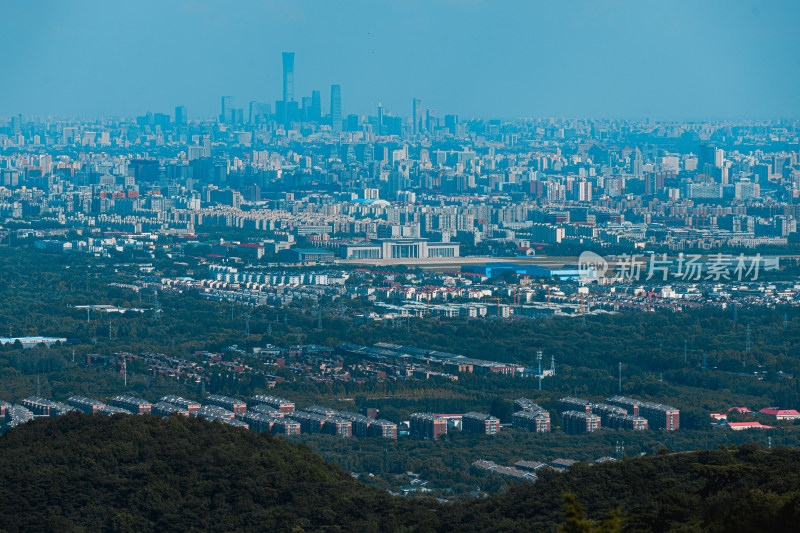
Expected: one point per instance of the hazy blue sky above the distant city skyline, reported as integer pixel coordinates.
(490, 58)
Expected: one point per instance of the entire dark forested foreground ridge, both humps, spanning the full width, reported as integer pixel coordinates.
(141, 473)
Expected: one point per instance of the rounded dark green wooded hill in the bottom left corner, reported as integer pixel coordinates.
(127, 473)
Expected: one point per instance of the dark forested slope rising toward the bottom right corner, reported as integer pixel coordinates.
(747, 489)
